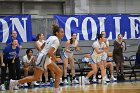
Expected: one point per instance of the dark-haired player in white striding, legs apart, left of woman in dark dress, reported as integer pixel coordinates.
(99, 48)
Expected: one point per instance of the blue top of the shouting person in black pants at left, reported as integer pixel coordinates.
(9, 53)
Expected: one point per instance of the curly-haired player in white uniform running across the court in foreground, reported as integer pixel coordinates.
(47, 54)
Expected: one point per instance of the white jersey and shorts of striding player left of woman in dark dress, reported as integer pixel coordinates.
(95, 56)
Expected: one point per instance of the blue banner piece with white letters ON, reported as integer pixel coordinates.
(19, 23)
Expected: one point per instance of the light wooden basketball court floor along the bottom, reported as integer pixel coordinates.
(123, 87)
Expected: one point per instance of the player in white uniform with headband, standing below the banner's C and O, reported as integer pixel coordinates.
(70, 46)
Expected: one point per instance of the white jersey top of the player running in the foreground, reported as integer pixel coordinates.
(52, 41)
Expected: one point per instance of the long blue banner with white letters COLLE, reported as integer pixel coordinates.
(88, 26)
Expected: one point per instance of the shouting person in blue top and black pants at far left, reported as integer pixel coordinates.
(10, 57)
